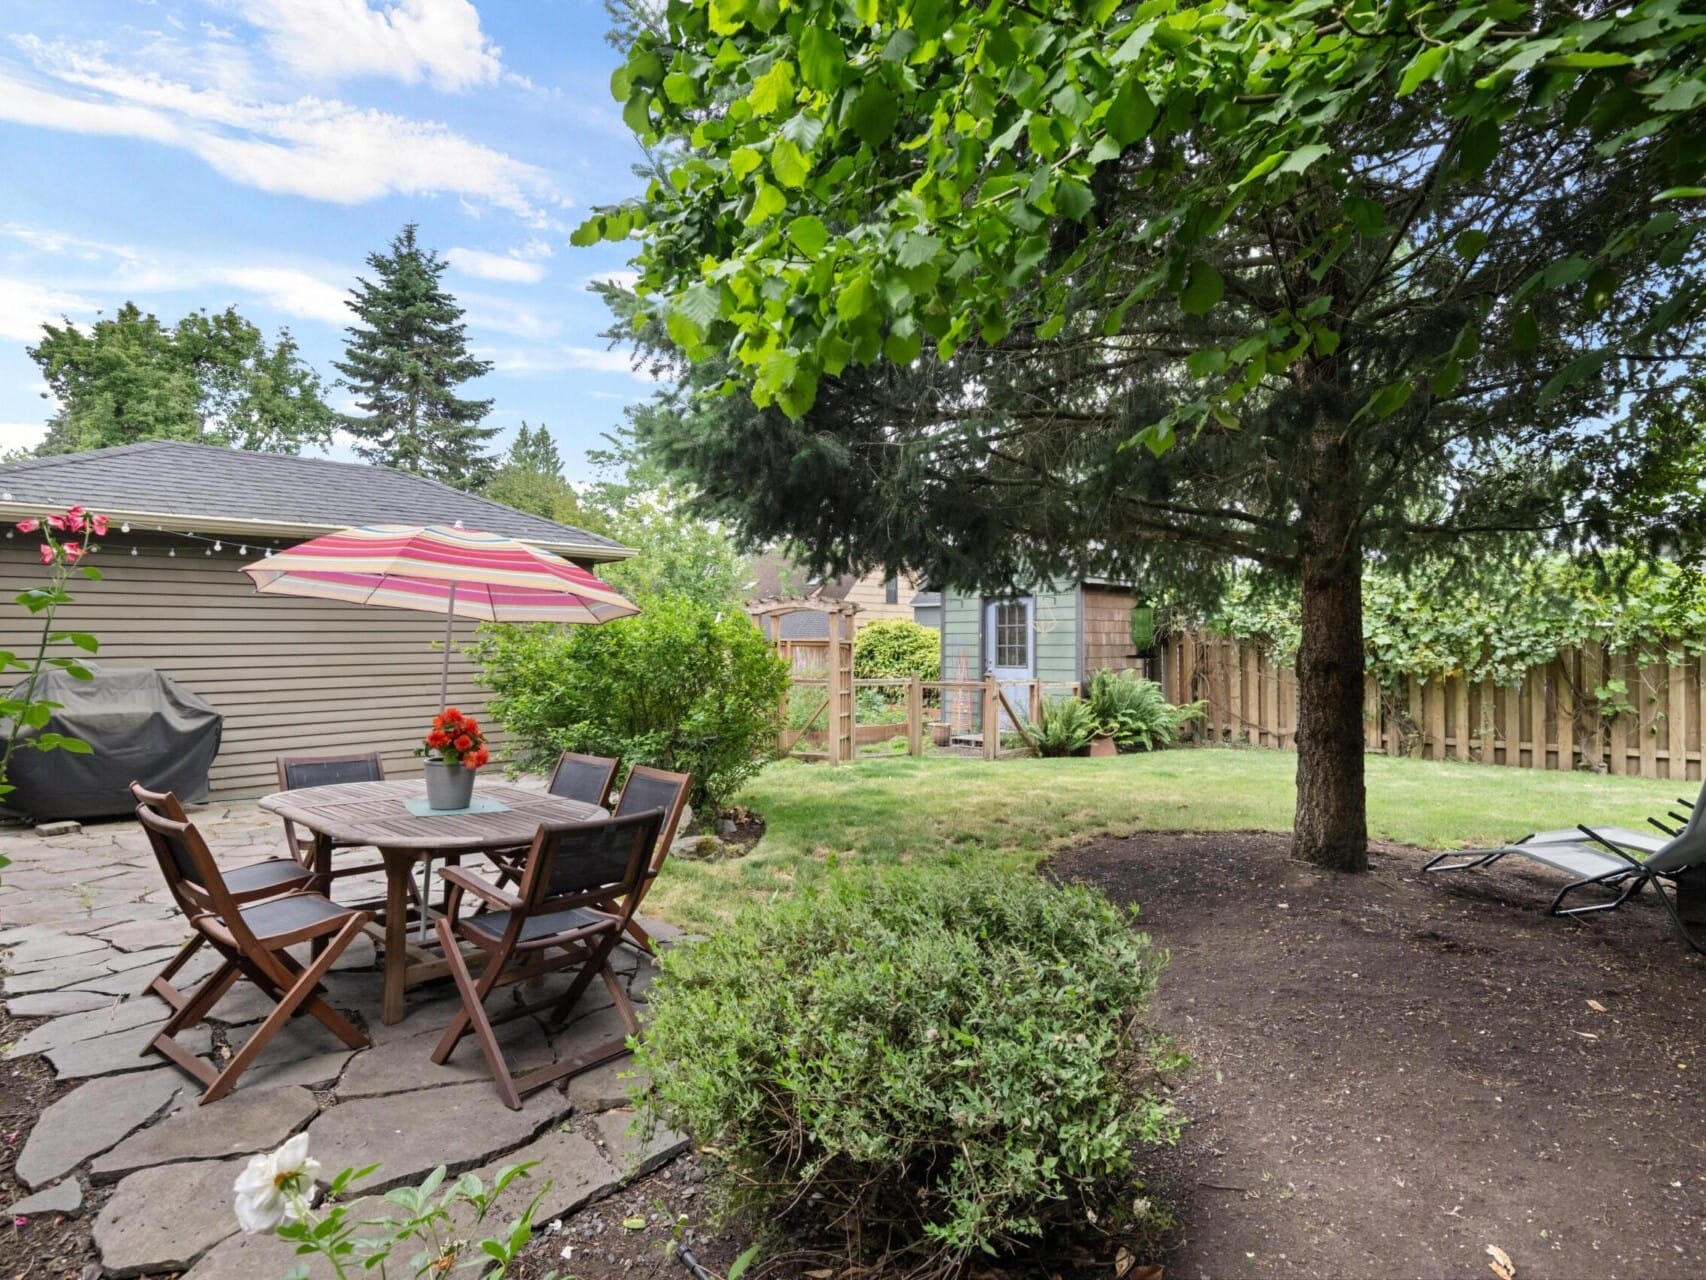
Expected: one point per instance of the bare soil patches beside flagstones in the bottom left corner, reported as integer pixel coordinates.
(47, 1247)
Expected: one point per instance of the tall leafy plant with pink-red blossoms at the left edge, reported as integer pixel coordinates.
(67, 540)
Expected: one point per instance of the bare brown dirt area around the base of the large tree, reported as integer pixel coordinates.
(1395, 1073)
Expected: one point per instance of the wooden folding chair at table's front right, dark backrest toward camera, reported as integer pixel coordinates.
(576, 873)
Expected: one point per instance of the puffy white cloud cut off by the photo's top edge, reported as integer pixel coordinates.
(409, 40)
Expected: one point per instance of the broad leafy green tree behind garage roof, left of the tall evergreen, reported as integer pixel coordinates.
(211, 378)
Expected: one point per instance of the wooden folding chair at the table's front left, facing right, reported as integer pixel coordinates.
(252, 940)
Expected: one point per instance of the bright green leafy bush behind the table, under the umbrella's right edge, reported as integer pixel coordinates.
(682, 687)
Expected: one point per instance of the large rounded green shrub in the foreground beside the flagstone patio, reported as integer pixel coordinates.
(931, 1062)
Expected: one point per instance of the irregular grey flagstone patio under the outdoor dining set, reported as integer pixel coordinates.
(88, 921)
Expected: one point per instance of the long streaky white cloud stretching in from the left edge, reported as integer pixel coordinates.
(313, 148)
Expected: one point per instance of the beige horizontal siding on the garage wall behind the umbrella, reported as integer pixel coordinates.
(291, 677)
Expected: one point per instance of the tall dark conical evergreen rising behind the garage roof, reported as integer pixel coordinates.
(405, 359)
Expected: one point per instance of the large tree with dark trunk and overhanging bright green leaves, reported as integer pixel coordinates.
(1028, 289)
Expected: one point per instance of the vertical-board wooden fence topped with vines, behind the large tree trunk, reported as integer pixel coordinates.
(1567, 714)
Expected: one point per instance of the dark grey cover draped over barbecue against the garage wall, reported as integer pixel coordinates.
(142, 726)
